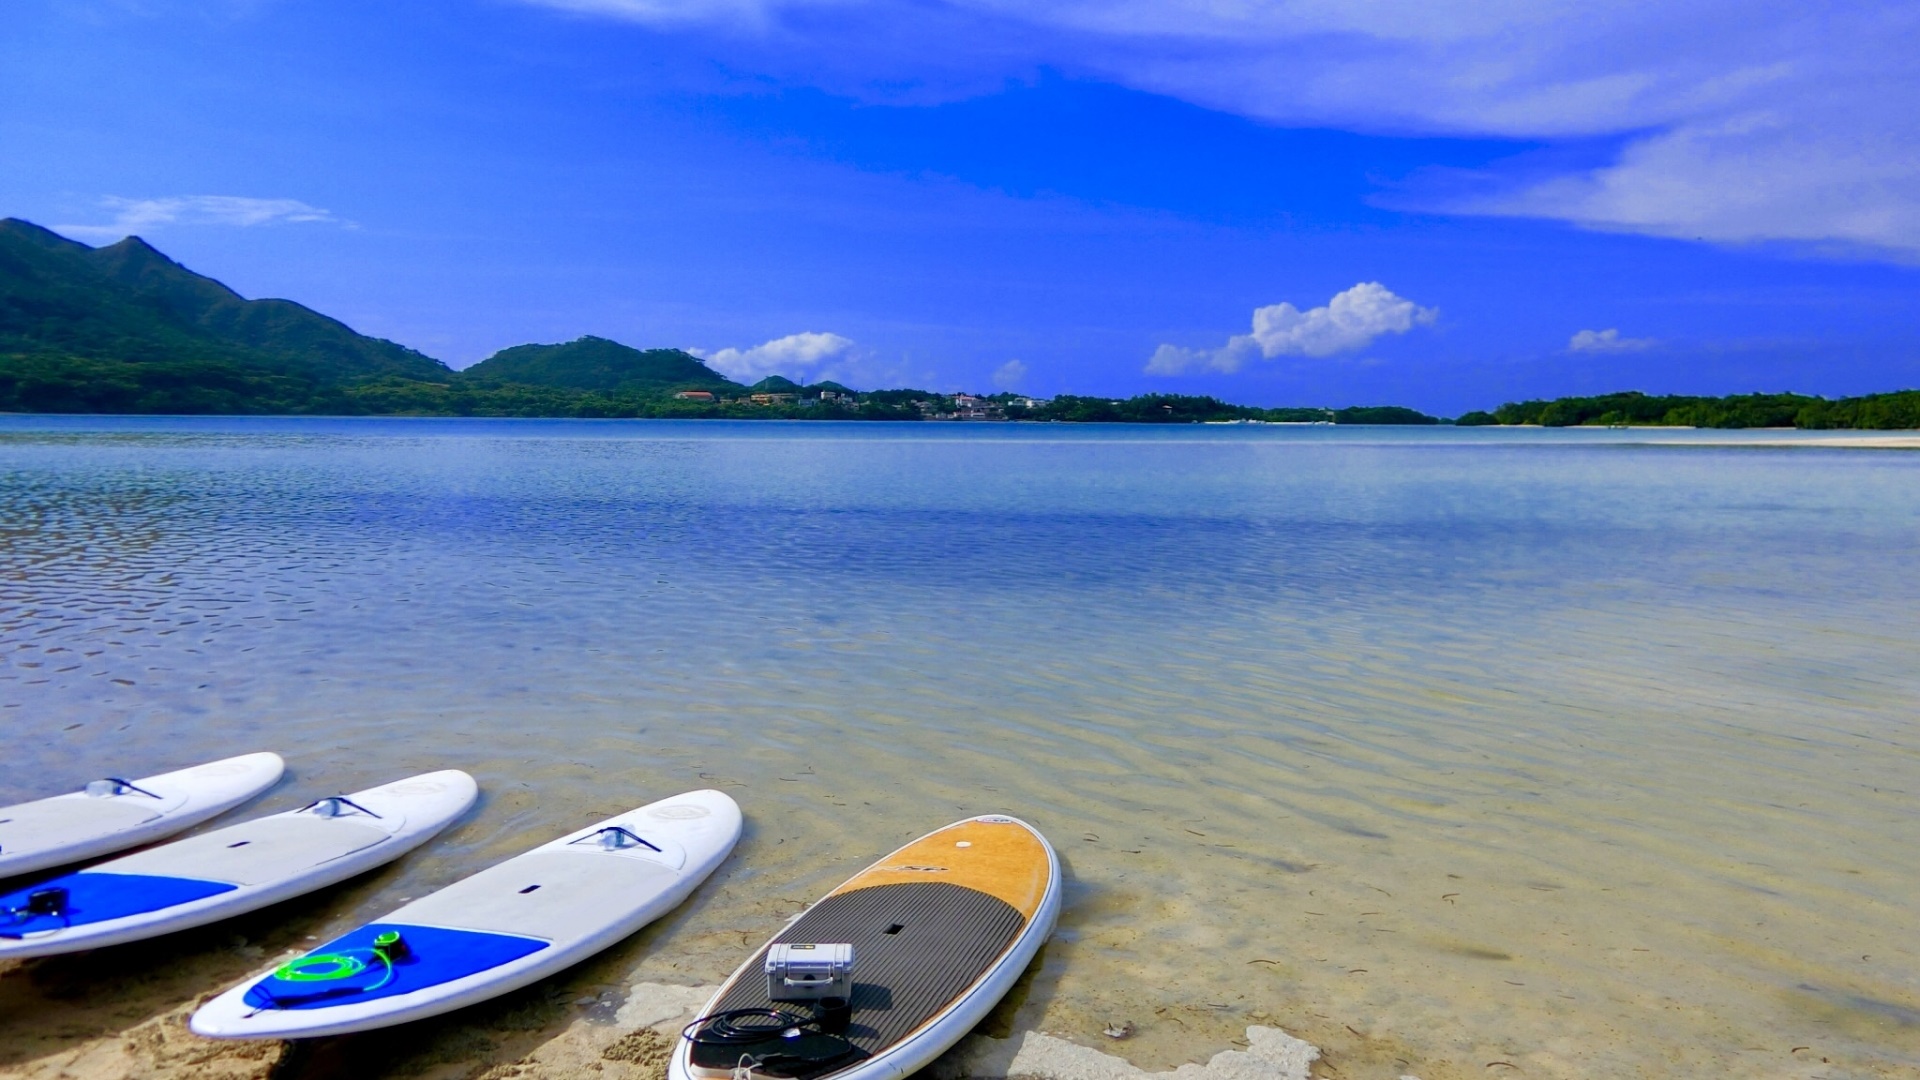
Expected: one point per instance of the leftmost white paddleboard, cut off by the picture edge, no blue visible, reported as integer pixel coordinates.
(112, 814)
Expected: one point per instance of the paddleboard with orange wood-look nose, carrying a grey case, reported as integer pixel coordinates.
(892, 968)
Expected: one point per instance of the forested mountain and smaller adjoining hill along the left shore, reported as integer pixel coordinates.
(126, 330)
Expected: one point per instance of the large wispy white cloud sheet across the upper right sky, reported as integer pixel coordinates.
(1744, 120)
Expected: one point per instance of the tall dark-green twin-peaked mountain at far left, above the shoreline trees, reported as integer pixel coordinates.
(132, 305)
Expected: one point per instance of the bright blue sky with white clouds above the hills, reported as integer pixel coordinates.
(1431, 203)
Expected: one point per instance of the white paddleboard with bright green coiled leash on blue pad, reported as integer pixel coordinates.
(492, 933)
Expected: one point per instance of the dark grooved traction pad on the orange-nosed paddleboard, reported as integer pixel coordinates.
(917, 946)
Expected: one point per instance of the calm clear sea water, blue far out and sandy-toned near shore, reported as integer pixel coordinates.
(1439, 749)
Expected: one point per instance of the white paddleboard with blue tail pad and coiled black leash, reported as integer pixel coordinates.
(231, 871)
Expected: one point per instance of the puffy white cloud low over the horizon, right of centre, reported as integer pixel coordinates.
(1353, 320)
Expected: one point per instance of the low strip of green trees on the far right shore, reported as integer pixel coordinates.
(1879, 412)
